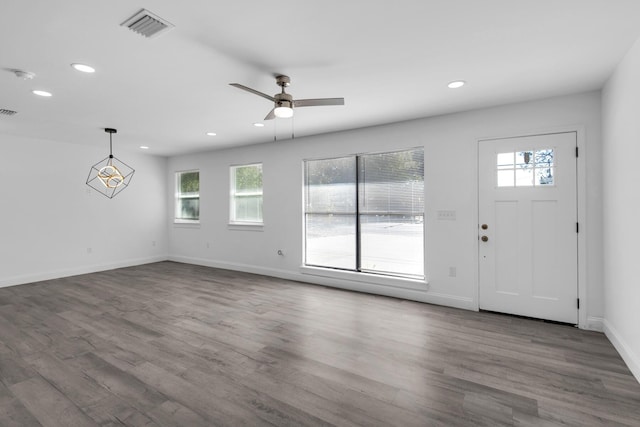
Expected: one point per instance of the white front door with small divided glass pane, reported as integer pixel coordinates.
(528, 226)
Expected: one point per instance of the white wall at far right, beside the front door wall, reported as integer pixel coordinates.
(621, 149)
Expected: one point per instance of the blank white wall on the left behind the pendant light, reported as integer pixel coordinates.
(49, 217)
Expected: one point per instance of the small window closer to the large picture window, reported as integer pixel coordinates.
(246, 194)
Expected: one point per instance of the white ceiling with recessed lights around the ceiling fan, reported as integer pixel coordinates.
(391, 61)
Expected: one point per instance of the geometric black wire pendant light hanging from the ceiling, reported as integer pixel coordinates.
(110, 176)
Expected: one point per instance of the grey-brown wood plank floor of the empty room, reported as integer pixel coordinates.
(179, 345)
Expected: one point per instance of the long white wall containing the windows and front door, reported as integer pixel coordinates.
(450, 144)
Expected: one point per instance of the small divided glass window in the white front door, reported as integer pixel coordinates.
(532, 168)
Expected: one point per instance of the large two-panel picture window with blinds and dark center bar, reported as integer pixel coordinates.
(366, 213)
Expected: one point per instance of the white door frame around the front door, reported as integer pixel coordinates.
(583, 321)
